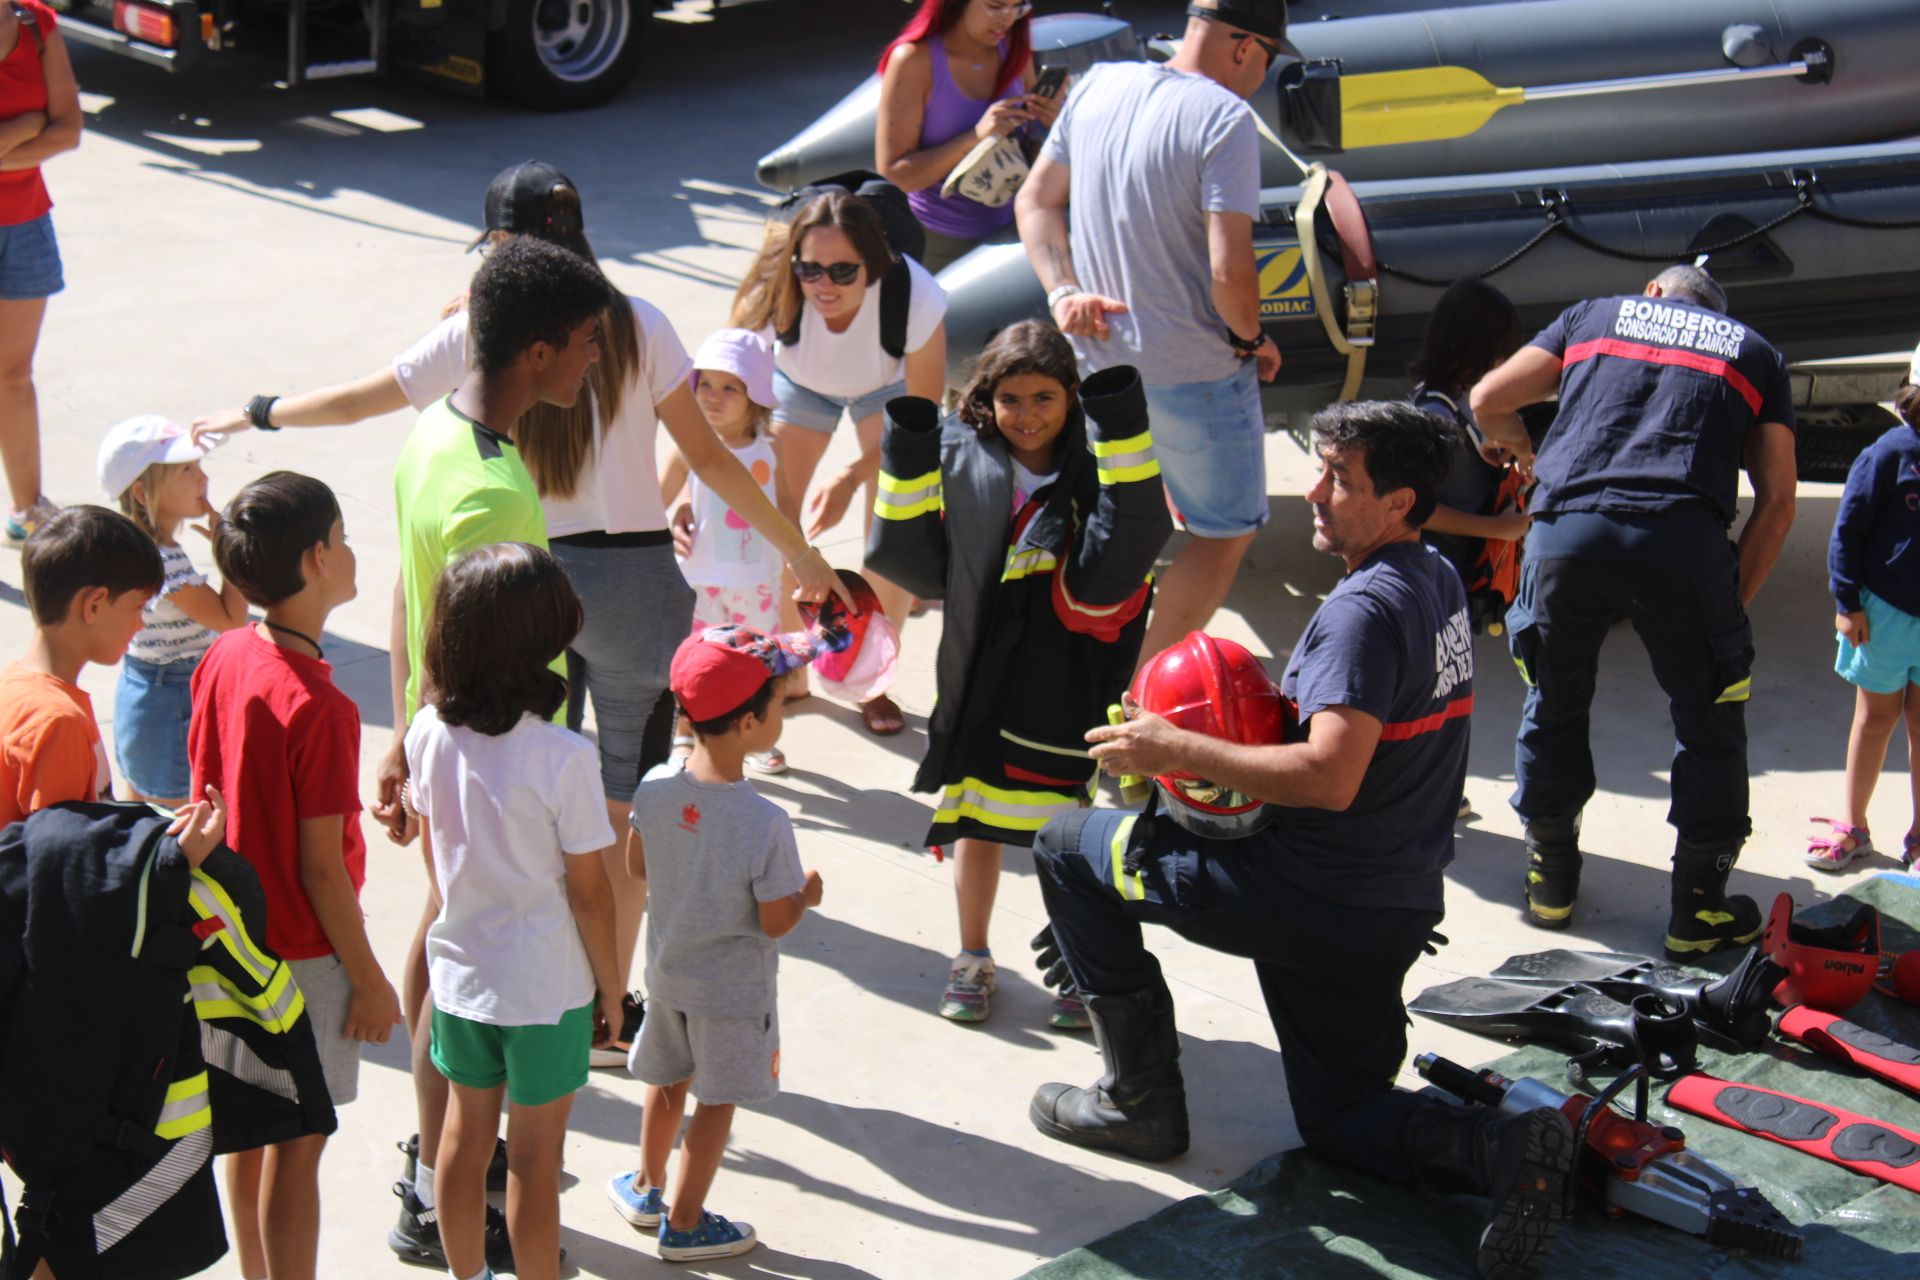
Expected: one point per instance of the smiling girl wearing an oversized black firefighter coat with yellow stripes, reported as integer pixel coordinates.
(1036, 515)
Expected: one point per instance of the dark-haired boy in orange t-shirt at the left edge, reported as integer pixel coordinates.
(89, 573)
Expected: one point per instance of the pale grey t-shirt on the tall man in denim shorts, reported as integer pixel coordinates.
(1151, 154)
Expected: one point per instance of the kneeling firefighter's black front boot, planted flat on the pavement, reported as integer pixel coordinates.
(1140, 1106)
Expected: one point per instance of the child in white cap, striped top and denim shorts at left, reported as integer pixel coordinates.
(153, 469)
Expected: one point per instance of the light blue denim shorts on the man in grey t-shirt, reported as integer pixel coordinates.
(1212, 446)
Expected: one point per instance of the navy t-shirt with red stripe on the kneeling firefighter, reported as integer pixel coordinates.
(1393, 642)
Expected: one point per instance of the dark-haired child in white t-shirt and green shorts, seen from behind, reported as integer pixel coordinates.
(519, 959)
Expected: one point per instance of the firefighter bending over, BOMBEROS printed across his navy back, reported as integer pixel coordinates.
(1664, 398)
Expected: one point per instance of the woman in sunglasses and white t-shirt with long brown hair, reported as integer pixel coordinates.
(819, 289)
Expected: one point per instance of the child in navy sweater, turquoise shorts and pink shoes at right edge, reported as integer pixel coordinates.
(1875, 575)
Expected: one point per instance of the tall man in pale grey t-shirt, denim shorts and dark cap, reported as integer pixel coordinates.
(1140, 222)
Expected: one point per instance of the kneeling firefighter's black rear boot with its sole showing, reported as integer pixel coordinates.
(1518, 1162)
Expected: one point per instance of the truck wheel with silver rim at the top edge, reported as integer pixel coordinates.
(564, 55)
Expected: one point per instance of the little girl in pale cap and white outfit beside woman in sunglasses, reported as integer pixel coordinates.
(729, 563)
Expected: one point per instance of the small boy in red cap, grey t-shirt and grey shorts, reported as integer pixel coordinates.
(725, 880)
